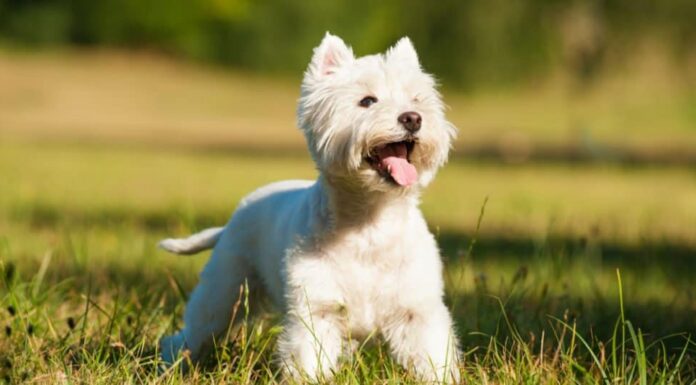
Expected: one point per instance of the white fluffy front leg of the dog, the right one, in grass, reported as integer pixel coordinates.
(423, 340)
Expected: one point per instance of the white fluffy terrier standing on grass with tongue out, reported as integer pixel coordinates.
(350, 253)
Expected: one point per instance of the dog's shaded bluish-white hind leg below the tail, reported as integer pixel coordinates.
(210, 306)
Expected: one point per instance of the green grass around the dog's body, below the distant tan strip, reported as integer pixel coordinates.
(91, 295)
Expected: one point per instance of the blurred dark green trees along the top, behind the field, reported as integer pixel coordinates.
(468, 43)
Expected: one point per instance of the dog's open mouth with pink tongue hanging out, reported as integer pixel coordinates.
(392, 161)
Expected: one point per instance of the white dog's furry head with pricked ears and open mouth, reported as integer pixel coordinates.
(377, 120)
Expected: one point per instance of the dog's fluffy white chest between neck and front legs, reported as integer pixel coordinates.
(364, 278)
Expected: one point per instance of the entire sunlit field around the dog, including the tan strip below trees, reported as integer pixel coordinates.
(570, 274)
